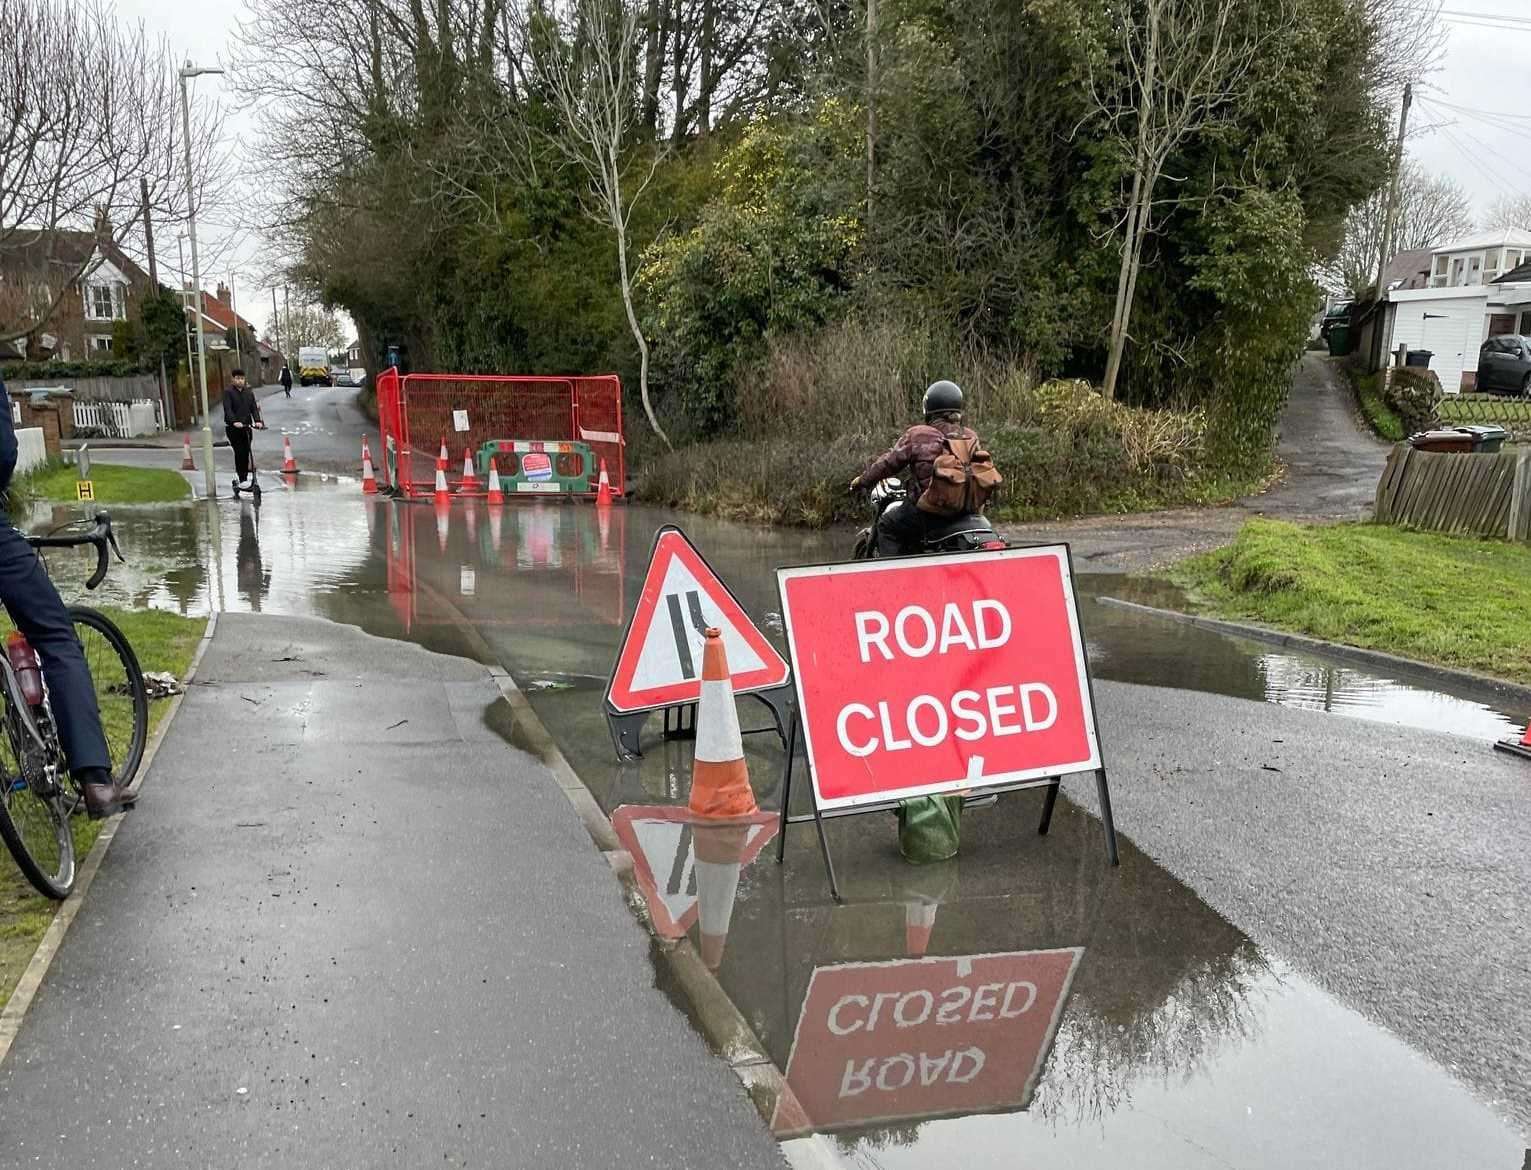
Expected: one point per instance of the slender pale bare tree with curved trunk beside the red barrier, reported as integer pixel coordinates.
(586, 60)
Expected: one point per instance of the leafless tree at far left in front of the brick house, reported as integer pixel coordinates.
(91, 111)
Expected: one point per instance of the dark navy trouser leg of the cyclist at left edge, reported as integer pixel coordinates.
(41, 615)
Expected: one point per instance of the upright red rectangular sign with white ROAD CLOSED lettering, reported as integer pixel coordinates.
(935, 675)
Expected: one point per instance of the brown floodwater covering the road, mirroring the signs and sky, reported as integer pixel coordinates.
(1020, 1005)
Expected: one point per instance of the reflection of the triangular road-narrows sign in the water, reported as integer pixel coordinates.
(659, 838)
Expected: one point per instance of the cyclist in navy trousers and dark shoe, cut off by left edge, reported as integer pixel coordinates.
(41, 615)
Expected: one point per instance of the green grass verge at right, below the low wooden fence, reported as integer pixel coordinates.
(1444, 600)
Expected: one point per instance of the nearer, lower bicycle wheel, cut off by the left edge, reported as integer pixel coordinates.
(34, 817)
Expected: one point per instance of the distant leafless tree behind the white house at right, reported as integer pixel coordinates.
(1431, 212)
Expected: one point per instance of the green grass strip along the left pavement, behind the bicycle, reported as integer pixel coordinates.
(163, 642)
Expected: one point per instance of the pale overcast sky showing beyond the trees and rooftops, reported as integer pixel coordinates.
(1472, 120)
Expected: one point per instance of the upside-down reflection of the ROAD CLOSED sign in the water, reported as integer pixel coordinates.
(925, 1038)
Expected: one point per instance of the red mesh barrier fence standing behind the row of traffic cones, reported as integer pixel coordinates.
(417, 411)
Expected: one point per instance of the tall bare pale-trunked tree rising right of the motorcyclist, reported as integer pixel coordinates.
(1180, 68)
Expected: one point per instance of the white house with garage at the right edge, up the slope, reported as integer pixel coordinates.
(1480, 289)
